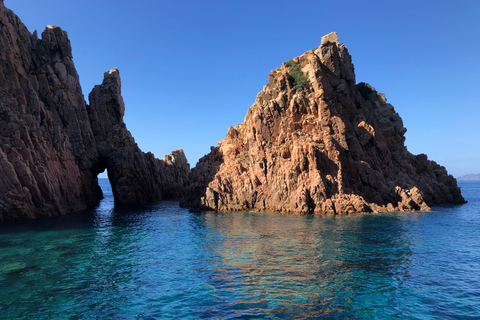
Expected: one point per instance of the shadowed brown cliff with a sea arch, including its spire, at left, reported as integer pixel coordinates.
(53, 145)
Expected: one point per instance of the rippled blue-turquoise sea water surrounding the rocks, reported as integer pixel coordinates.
(164, 262)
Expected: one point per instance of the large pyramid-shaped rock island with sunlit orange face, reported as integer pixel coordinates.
(316, 142)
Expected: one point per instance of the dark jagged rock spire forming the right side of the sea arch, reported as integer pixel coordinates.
(136, 177)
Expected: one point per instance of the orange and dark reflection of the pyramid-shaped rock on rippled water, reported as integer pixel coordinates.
(294, 265)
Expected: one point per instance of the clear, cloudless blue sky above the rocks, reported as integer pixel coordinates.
(190, 69)
